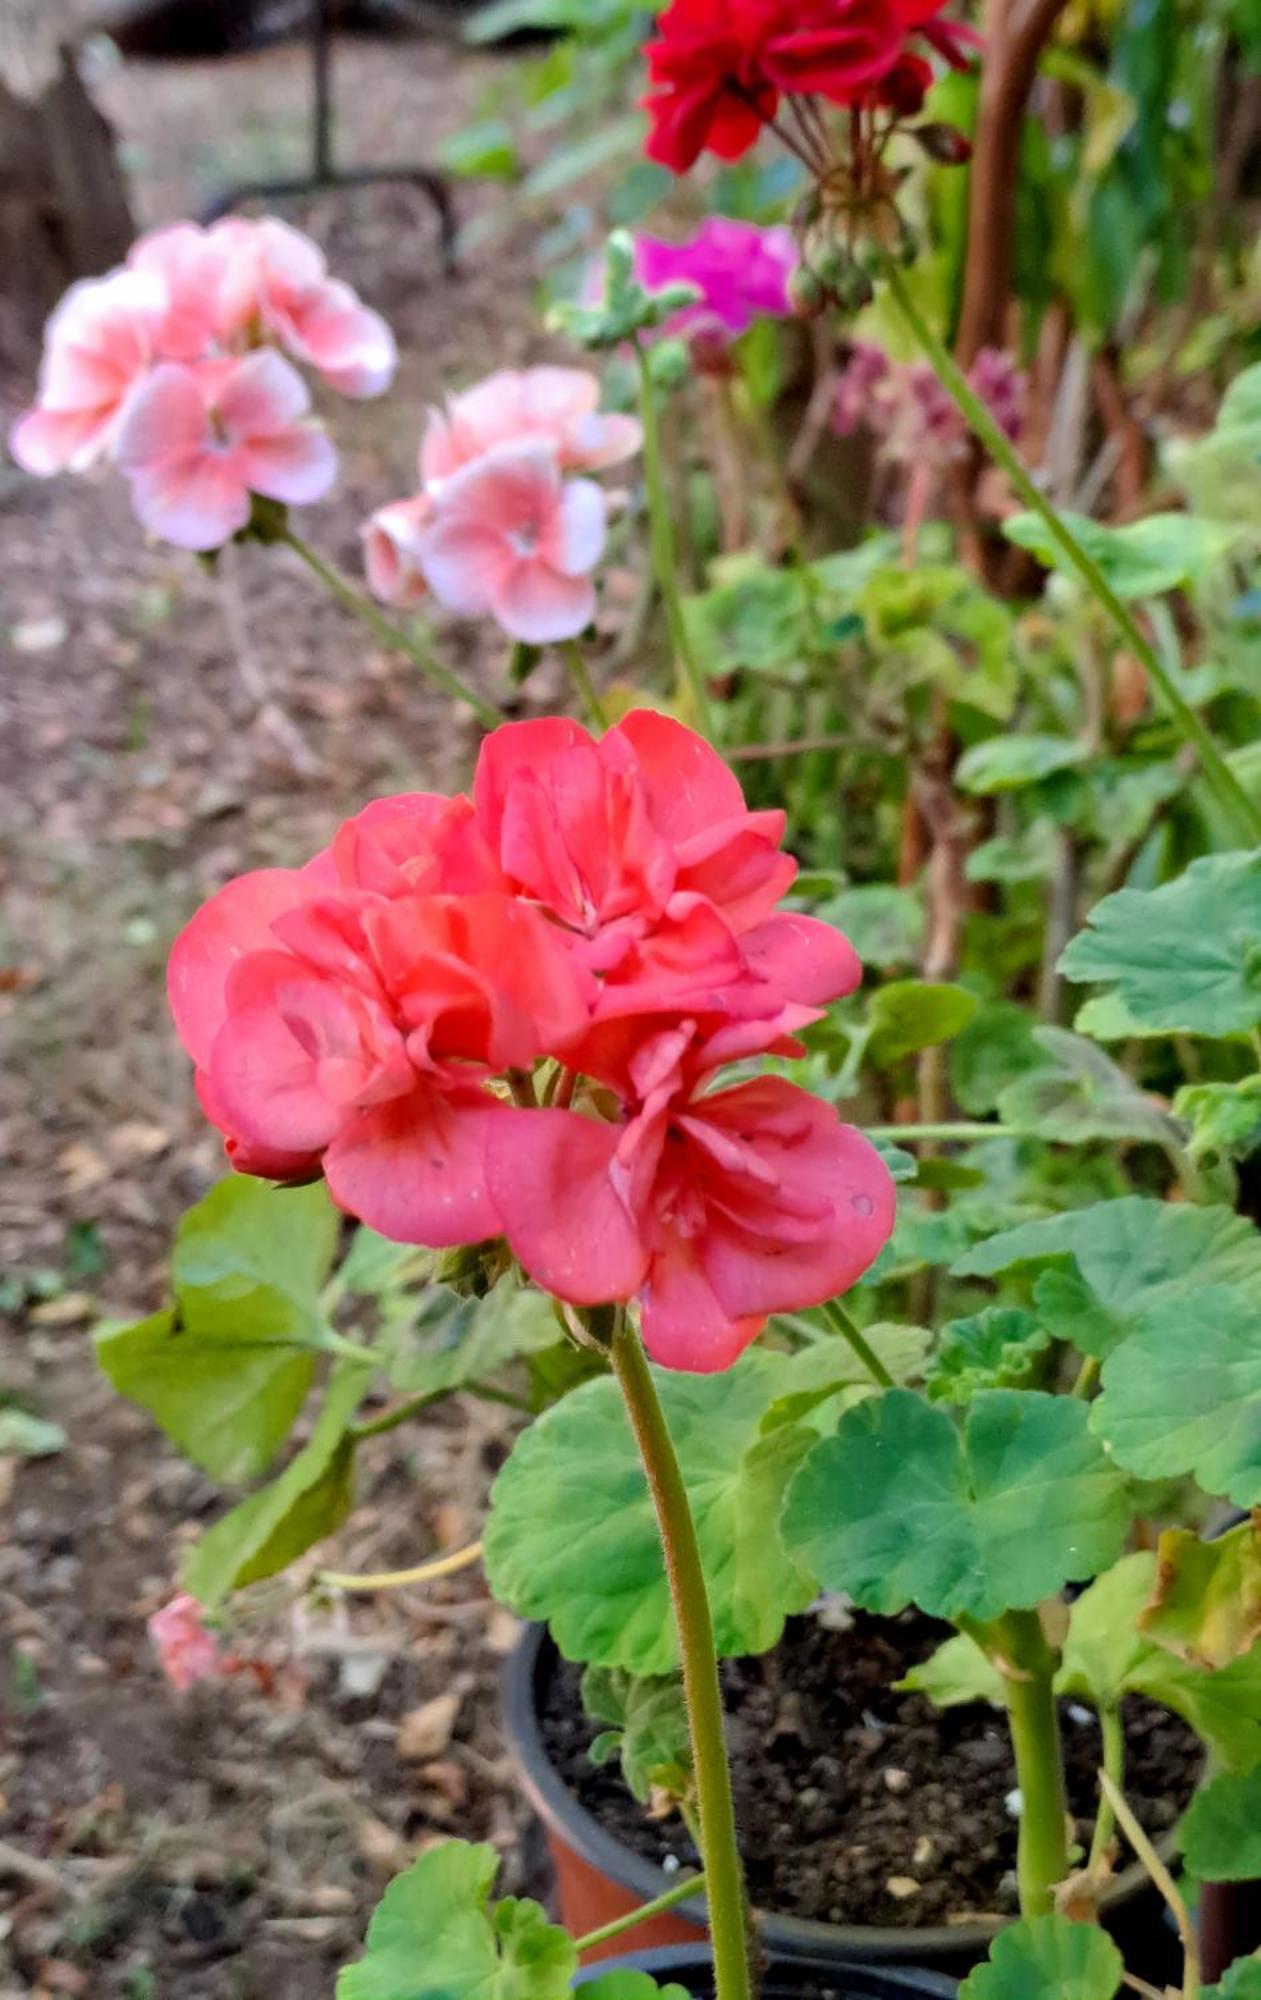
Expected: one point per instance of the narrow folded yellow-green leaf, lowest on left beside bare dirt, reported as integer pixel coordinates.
(277, 1525)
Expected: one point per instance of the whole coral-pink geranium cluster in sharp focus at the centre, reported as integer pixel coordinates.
(503, 1015)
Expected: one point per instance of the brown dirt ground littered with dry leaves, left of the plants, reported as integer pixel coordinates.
(225, 1845)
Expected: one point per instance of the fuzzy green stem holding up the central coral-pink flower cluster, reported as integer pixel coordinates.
(720, 1853)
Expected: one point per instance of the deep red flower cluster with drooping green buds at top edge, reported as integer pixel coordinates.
(726, 71)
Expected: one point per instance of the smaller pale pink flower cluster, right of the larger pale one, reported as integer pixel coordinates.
(501, 527)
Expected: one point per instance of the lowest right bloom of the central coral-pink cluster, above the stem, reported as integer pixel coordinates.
(714, 1211)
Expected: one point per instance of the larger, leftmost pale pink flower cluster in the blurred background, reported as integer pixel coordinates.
(179, 369)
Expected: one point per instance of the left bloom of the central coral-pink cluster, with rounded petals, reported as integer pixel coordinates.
(353, 1033)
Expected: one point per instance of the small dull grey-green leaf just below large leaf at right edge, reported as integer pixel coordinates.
(1080, 1093)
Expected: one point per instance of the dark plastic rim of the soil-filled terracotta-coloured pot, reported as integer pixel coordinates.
(786, 1937)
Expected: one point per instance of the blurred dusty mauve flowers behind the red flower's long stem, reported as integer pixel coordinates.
(912, 415)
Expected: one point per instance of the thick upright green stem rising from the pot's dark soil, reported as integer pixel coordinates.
(1028, 1663)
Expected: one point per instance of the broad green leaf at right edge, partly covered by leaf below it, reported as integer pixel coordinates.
(1122, 1261)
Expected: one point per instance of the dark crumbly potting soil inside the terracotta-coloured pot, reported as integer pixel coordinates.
(866, 1807)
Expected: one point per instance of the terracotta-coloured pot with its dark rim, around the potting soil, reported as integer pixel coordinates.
(599, 1877)
